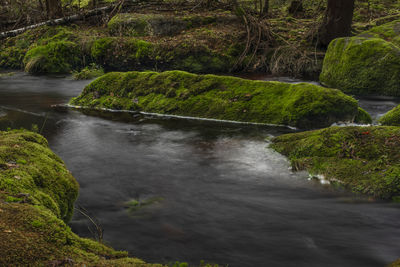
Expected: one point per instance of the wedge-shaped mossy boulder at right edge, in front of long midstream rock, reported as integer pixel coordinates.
(363, 159)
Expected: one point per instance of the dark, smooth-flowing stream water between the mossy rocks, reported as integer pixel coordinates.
(222, 195)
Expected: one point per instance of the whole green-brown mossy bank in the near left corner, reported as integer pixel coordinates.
(37, 194)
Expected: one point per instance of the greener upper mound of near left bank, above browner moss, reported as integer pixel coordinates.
(30, 168)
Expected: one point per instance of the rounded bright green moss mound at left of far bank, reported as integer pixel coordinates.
(54, 57)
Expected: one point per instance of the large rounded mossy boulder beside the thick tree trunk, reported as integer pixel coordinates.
(362, 66)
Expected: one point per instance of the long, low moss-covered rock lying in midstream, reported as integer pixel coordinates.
(219, 97)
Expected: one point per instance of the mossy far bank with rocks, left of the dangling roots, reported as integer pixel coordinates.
(201, 44)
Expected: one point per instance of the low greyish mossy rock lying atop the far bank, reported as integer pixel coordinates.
(135, 24)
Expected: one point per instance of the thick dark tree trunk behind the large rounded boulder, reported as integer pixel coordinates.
(337, 21)
